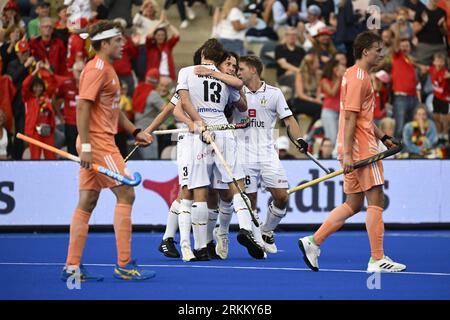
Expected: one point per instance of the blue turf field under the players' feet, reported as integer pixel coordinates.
(30, 265)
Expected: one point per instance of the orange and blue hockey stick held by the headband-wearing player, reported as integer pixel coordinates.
(114, 175)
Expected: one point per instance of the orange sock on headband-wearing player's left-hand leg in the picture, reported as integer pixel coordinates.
(78, 234)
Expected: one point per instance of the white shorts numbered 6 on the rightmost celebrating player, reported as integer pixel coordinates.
(271, 174)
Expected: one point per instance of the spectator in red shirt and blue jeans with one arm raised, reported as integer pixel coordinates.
(404, 83)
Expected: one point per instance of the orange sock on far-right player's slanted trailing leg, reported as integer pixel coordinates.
(333, 223)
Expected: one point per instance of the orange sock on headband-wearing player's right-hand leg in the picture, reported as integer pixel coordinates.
(122, 229)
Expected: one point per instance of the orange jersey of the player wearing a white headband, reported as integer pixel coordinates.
(99, 83)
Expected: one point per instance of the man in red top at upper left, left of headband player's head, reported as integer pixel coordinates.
(47, 47)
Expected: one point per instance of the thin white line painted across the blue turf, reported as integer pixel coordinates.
(222, 267)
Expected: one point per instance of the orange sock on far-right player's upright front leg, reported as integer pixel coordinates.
(375, 230)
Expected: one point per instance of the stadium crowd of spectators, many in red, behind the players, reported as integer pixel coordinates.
(308, 42)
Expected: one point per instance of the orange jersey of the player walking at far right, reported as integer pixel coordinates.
(357, 95)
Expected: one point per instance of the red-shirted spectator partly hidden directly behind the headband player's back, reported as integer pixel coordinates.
(68, 94)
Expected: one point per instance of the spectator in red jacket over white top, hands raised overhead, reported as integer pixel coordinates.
(160, 47)
